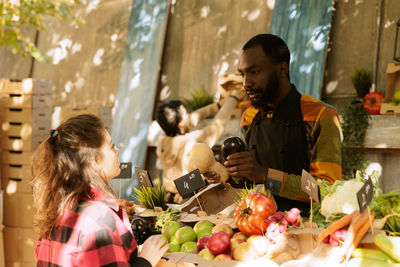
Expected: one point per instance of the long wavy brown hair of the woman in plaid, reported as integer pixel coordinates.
(64, 168)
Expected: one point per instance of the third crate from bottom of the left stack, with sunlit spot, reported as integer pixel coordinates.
(16, 178)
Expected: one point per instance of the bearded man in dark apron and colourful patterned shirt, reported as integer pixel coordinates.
(285, 131)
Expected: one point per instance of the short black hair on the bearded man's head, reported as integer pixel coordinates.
(273, 47)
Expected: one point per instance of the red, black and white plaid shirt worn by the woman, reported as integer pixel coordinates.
(94, 233)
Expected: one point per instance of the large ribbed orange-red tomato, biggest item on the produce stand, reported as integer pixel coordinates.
(252, 212)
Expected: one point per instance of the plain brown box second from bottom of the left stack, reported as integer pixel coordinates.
(18, 210)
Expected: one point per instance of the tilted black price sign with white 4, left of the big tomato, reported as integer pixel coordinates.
(189, 183)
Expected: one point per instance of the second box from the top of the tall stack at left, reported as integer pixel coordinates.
(25, 101)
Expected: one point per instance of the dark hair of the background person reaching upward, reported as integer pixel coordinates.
(168, 116)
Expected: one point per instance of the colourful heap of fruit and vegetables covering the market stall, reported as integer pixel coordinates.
(335, 233)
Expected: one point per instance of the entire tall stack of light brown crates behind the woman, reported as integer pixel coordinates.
(25, 119)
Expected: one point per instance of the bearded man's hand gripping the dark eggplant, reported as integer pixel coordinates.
(243, 164)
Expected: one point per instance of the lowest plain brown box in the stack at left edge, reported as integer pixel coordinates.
(20, 244)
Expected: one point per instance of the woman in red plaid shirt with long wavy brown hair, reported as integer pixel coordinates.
(79, 220)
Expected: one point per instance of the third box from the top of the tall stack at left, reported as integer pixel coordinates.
(29, 115)
